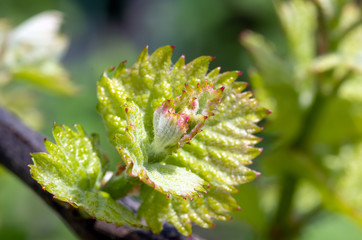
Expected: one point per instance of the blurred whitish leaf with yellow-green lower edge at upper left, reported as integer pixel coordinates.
(32, 53)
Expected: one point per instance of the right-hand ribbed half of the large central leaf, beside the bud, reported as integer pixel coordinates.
(220, 152)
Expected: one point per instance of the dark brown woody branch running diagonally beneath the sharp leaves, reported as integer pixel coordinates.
(17, 142)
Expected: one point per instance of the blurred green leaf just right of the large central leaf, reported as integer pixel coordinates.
(273, 80)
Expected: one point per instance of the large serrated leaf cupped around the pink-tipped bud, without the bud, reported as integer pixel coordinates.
(217, 155)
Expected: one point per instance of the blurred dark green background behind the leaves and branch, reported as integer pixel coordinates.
(105, 32)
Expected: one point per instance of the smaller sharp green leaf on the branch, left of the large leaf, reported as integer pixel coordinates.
(72, 172)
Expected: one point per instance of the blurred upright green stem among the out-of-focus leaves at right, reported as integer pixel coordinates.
(283, 225)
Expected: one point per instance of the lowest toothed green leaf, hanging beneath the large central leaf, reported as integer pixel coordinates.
(157, 207)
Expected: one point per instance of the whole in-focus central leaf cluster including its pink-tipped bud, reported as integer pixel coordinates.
(179, 129)
